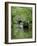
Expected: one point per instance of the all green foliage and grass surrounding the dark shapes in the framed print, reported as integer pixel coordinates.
(24, 14)
